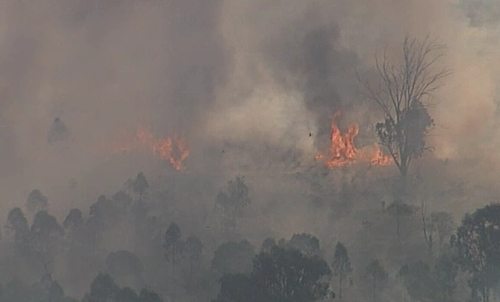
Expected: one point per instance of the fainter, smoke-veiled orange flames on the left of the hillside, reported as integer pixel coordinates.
(172, 149)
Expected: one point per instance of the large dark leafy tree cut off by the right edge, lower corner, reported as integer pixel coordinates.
(477, 243)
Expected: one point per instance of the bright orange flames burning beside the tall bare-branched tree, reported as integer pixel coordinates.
(343, 151)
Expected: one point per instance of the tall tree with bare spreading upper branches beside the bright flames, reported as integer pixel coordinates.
(403, 93)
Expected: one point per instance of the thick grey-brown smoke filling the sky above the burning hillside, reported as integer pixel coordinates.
(245, 81)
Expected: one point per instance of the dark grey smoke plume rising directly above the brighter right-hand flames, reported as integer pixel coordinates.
(310, 58)
